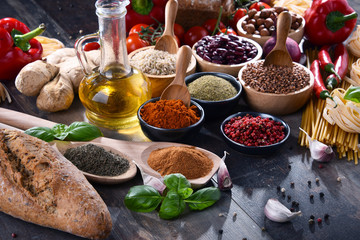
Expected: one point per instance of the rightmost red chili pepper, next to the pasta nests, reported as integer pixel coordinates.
(341, 66)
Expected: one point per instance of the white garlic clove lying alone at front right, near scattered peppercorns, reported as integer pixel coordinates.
(277, 212)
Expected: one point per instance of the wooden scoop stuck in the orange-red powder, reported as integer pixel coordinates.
(177, 89)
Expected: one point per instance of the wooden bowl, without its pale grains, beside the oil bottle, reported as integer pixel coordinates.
(160, 82)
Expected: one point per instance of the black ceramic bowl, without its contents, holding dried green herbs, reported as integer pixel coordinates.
(215, 109)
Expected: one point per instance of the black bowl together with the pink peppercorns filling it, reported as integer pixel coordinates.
(254, 133)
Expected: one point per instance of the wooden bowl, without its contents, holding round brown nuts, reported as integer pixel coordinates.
(296, 35)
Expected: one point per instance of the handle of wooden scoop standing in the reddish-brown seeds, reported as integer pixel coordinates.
(282, 29)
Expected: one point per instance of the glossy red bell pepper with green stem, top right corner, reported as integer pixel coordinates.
(329, 22)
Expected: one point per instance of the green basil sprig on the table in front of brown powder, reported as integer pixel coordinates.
(145, 198)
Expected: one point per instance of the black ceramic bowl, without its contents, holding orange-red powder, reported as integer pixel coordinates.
(170, 135)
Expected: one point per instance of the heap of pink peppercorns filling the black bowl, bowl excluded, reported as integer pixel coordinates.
(254, 131)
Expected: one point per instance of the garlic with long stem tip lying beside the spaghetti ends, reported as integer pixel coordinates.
(318, 150)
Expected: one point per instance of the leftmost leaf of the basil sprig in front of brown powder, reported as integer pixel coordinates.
(142, 198)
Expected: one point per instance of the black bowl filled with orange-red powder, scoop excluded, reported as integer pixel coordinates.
(170, 120)
